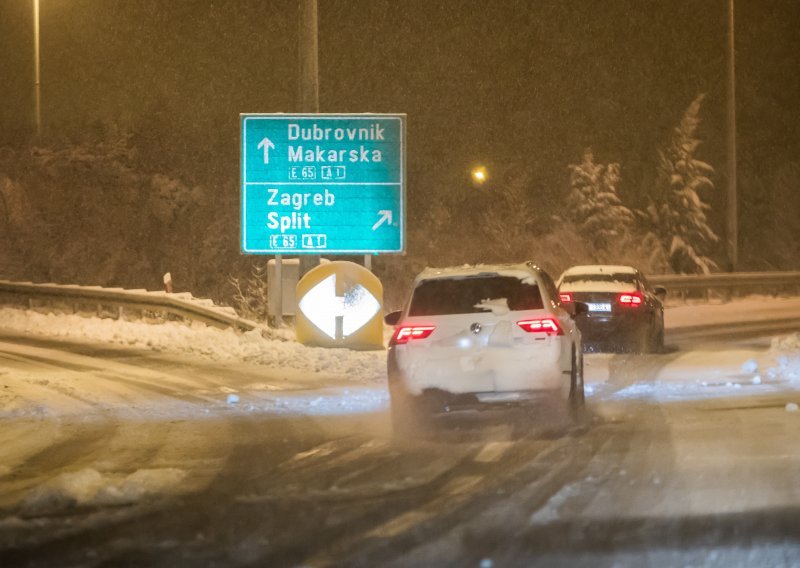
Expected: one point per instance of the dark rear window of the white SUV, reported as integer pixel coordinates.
(441, 296)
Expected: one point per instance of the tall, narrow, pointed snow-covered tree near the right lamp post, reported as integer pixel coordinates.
(678, 211)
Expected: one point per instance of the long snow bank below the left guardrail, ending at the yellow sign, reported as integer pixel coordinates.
(277, 351)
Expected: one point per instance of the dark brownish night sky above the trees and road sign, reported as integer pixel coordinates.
(514, 84)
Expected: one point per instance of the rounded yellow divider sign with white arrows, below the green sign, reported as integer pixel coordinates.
(340, 304)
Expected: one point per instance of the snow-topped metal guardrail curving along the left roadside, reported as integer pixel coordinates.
(182, 305)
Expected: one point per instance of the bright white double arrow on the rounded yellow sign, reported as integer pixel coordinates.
(322, 307)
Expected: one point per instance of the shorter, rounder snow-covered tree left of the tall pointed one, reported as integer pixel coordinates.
(593, 203)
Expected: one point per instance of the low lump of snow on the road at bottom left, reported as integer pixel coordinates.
(89, 487)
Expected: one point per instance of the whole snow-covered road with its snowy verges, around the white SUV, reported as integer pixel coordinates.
(129, 444)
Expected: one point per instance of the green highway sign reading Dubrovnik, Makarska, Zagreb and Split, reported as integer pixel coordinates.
(322, 183)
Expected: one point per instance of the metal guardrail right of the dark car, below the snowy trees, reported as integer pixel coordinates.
(730, 283)
